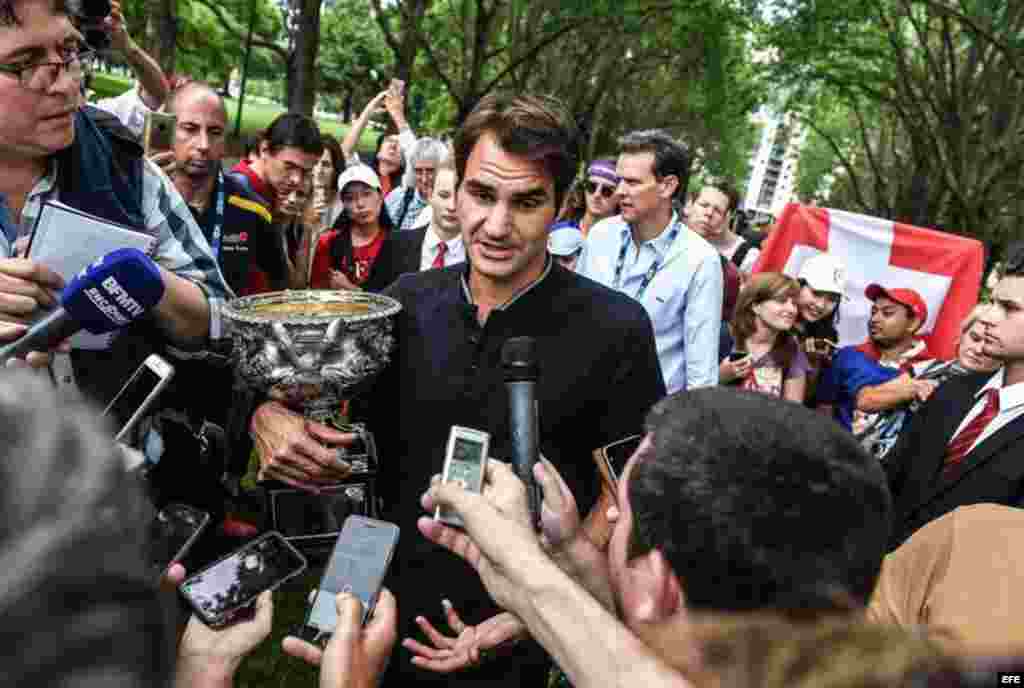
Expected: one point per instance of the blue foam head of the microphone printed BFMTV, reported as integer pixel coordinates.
(114, 292)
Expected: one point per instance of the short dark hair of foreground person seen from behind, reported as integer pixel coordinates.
(759, 504)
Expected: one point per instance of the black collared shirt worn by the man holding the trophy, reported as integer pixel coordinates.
(600, 376)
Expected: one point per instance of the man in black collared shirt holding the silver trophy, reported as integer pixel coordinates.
(600, 370)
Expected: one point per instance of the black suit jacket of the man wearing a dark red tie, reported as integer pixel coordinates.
(994, 472)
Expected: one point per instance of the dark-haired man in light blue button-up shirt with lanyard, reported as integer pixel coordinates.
(649, 254)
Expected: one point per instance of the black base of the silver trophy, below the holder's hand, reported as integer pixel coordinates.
(300, 514)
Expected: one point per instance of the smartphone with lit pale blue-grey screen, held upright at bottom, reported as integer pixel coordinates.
(358, 566)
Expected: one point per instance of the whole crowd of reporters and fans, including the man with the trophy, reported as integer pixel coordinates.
(798, 512)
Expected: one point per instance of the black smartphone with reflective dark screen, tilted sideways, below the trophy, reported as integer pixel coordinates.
(227, 589)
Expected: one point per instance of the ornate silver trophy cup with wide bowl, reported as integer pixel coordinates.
(315, 352)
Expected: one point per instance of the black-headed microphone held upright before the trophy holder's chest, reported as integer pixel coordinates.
(522, 371)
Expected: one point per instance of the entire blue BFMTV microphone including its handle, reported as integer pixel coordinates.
(111, 294)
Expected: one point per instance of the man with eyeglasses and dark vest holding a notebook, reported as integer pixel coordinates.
(53, 149)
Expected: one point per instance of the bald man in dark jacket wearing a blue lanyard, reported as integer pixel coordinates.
(237, 225)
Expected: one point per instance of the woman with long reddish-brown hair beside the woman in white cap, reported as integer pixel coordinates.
(765, 357)
